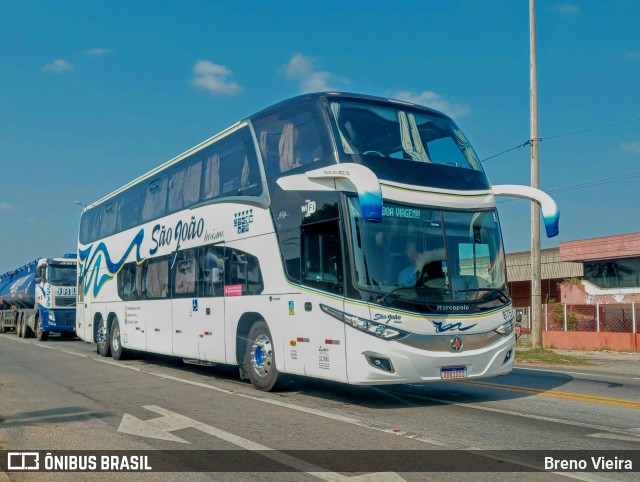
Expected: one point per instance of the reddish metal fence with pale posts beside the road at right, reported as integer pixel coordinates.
(612, 318)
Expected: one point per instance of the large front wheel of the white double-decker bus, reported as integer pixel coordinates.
(259, 360)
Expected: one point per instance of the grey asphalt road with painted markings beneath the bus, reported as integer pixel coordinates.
(60, 395)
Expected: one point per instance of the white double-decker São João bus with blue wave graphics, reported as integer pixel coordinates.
(336, 236)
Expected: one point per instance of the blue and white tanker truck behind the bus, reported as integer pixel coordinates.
(40, 298)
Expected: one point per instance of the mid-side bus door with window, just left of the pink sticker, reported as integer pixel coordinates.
(209, 306)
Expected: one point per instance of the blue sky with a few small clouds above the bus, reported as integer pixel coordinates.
(94, 94)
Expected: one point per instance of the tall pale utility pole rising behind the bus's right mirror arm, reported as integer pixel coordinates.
(536, 267)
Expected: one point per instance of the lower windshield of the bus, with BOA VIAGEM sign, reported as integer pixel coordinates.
(425, 255)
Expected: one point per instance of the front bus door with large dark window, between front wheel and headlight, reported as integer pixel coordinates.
(322, 269)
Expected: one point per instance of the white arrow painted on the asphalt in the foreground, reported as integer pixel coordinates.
(169, 421)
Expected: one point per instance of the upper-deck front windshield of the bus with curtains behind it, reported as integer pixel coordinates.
(369, 129)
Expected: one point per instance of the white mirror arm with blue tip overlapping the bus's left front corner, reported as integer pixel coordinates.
(346, 177)
